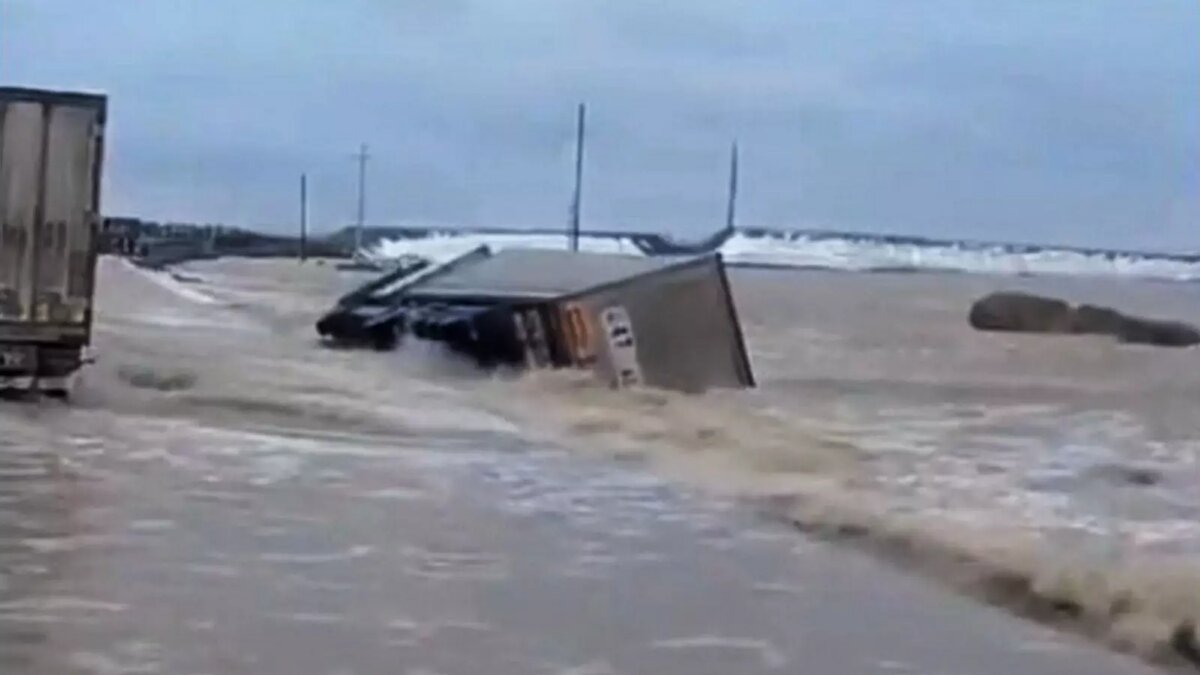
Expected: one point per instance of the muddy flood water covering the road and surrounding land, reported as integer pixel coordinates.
(224, 497)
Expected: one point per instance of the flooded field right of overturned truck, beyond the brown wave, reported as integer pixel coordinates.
(1084, 441)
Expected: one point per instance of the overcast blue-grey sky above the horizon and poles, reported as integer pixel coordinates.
(1047, 121)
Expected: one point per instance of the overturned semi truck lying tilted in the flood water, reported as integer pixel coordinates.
(634, 320)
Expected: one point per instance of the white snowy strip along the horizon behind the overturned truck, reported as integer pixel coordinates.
(830, 252)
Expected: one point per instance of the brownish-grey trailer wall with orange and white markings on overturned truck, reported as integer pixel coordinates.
(682, 326)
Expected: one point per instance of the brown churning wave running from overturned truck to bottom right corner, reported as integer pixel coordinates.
(825, 479)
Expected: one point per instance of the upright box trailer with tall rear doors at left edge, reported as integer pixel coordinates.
(51, 158)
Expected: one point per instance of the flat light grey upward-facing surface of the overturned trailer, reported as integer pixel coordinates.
(535, 274)
